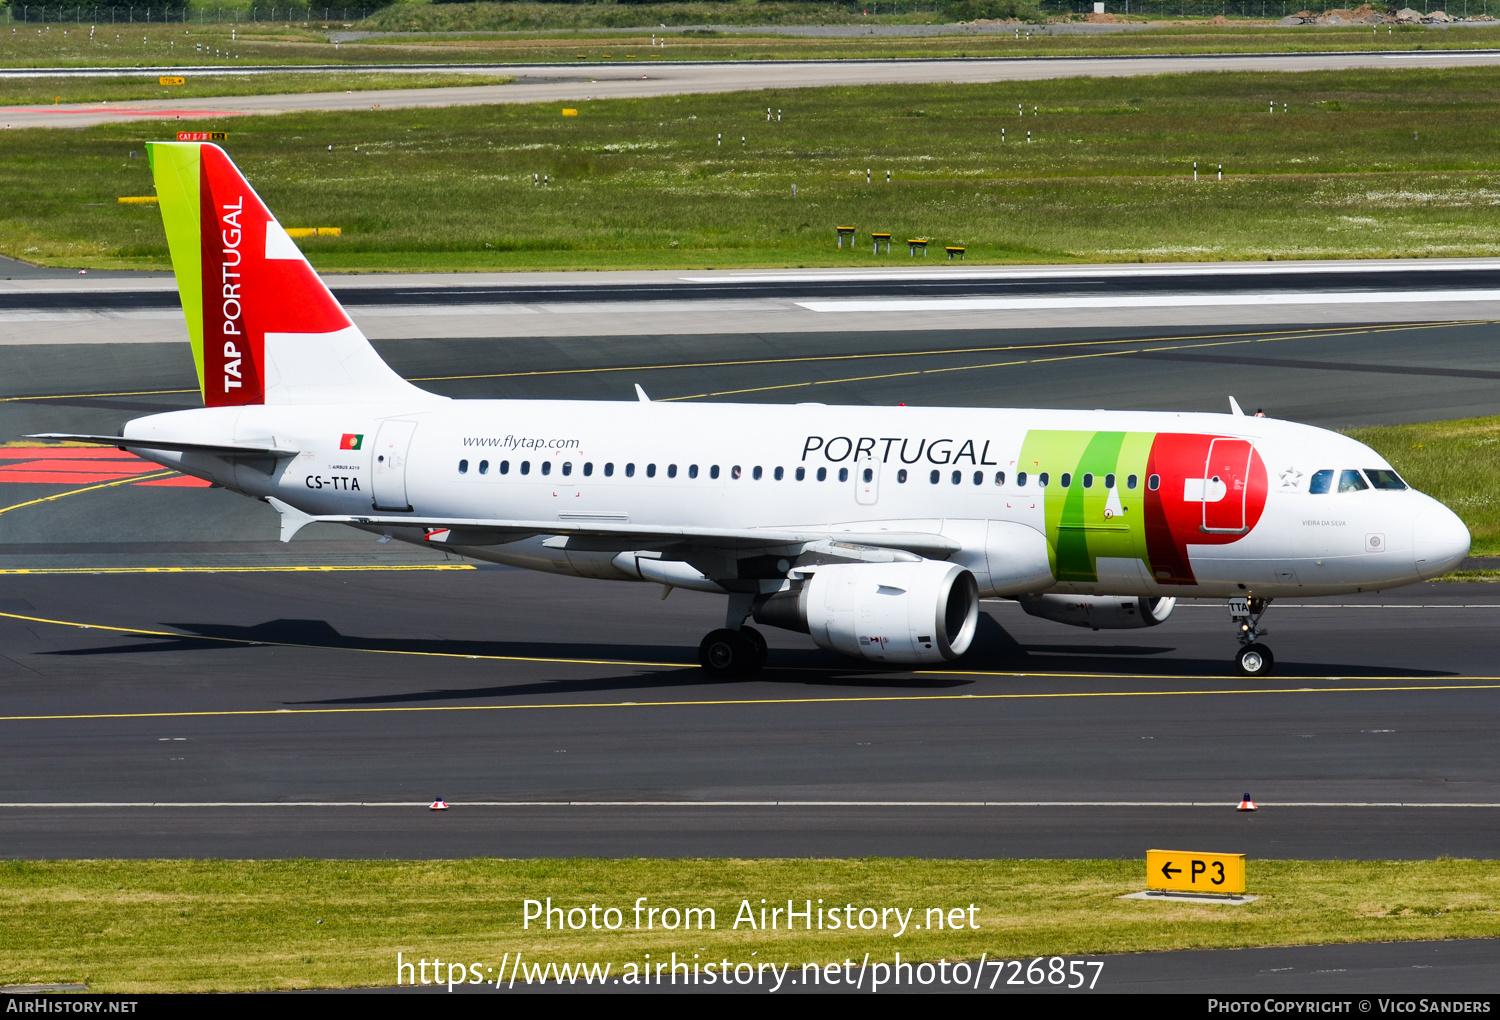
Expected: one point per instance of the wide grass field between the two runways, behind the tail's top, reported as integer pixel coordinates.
(1363, 164)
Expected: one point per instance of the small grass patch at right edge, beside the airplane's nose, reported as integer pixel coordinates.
(1457, 463)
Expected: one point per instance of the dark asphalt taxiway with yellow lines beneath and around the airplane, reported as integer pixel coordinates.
(317, 712)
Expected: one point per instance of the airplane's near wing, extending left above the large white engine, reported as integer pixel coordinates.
(605, 535)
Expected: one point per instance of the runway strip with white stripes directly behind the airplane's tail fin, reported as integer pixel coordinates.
(67, 308)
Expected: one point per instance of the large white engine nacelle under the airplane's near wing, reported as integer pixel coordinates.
(889, 613)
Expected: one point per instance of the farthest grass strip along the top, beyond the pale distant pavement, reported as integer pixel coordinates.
(110, 46)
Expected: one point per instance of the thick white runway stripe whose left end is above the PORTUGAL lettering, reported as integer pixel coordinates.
(1144, 301)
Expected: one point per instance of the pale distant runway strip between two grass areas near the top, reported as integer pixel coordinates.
(556, 83)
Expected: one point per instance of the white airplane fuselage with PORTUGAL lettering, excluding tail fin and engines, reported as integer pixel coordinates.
(949, 472)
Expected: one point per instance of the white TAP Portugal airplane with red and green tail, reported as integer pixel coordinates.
(875, 530)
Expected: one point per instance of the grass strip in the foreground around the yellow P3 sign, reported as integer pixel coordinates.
(178, 926)
